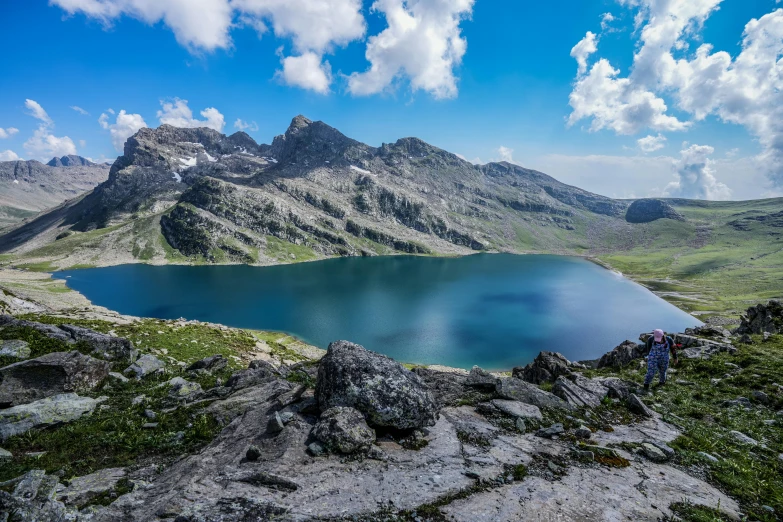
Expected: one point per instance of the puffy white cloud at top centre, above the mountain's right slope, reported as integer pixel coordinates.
(423, 42)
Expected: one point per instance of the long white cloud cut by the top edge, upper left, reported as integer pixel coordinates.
(197, 24)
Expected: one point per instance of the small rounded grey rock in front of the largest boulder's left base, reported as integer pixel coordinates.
(343, 429)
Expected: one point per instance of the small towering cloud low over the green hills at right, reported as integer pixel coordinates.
(697, 176)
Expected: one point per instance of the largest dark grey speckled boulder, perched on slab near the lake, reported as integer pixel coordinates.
(386, 393)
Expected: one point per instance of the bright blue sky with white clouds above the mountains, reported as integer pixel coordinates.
(626, 98)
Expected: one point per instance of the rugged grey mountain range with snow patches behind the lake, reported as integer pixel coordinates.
(194, 195)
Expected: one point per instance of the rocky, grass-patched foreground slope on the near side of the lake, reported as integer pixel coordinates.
(357, 436)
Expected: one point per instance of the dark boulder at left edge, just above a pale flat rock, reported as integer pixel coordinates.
(48, 375)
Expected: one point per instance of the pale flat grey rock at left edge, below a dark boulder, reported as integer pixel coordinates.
(43, 413)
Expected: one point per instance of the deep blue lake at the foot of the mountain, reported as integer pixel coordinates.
(494, 310)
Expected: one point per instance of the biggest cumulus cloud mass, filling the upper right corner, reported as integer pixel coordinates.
(744, 90)
